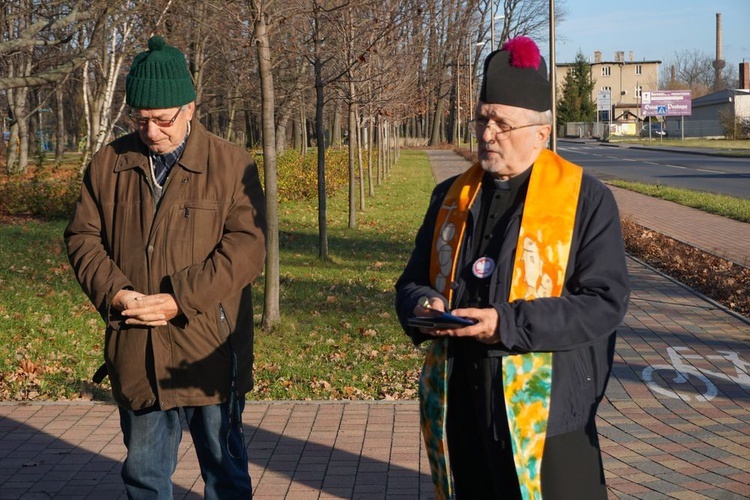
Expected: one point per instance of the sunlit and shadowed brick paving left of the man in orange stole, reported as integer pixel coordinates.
(297, 450)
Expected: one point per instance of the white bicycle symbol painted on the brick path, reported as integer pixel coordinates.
(680, 372)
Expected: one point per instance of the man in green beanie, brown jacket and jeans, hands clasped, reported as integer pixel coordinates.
(166, 238)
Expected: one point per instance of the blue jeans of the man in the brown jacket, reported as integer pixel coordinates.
(152, 438)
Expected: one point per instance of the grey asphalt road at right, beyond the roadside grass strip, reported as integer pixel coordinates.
(714, 174)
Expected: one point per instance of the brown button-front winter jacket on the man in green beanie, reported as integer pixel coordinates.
(205, 244)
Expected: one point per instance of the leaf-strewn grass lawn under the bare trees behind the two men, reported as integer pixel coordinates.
(339, 338)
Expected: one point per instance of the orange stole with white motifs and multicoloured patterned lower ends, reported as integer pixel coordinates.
(539, 267)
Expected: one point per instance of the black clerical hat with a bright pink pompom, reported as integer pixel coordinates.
(516, 75)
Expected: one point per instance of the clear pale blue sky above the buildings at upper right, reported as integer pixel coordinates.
(653, 29)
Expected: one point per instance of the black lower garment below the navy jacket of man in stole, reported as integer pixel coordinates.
(481, 454)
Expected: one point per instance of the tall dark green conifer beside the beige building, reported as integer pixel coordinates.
(576, 104)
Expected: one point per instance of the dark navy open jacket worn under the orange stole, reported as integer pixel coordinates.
(578, 327)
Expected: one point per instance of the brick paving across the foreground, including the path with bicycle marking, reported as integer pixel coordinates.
(661, 437)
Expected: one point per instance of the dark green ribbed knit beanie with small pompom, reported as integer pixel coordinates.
(159, 78)
